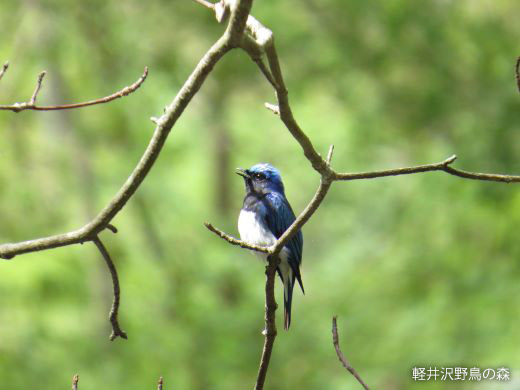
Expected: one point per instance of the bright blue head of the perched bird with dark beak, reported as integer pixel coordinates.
(262, 178)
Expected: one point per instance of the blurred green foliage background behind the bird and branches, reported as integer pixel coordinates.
(422, 270)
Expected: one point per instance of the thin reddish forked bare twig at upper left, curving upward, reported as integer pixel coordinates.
(31, 104)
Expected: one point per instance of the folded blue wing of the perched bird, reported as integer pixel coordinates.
(279, 217)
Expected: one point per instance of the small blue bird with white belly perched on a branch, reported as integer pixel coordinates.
(265, 215)
